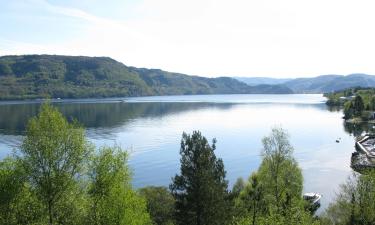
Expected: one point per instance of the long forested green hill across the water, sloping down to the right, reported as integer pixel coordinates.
(39, 76)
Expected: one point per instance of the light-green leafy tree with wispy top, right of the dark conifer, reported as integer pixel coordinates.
(273, 195)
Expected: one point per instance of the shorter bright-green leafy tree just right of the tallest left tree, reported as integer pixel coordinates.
(111, 196)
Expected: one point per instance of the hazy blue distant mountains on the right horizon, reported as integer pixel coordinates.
(329, 83)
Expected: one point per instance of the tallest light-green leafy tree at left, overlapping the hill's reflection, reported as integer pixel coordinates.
(53, 154)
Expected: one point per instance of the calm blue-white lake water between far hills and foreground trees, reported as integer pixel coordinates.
(151, 128)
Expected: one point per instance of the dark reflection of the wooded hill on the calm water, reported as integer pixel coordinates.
(14, 117)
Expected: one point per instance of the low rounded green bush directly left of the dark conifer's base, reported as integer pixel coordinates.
(160, 204)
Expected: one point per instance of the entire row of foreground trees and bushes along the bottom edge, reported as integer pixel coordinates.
(58, 177)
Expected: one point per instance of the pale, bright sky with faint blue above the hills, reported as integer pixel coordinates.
(249, 38)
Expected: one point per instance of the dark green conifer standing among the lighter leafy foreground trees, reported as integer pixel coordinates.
(201, 189)
